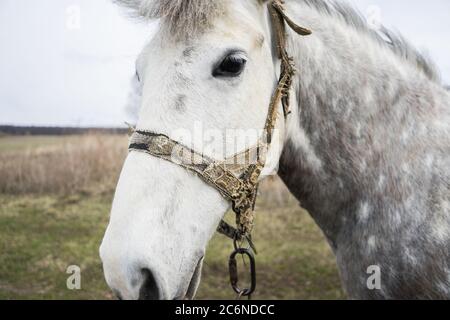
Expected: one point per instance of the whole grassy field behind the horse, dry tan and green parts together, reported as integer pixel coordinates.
(55, 197)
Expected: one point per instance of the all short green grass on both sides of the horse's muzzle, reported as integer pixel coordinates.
(40, 236)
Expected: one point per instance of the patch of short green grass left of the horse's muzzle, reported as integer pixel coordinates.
(41, 236)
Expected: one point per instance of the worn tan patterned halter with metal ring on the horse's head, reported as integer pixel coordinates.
(235, 178)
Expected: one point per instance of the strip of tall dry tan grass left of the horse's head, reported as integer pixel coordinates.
(63, 165)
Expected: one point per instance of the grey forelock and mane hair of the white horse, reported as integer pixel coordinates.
(184, 18)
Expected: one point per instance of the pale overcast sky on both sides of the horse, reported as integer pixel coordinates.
(56, 69)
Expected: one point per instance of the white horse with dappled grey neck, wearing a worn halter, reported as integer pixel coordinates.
(366, 148)
